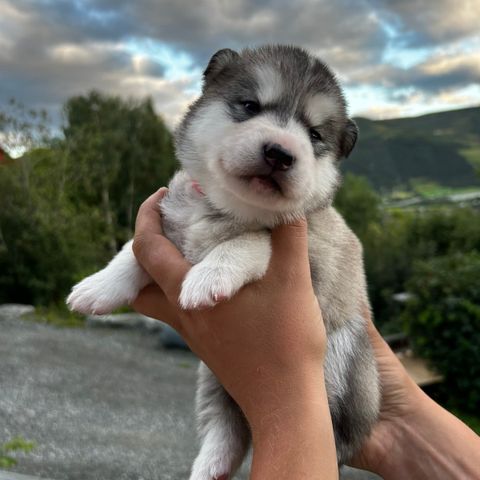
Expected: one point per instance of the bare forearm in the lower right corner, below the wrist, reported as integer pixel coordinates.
(431, 443)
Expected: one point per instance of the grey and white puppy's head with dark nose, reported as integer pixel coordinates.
(265, 137)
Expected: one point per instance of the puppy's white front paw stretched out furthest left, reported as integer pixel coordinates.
(99, 294)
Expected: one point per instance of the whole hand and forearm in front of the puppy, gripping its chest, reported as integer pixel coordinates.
(266, 346)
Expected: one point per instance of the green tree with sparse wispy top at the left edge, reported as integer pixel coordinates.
(34, 261)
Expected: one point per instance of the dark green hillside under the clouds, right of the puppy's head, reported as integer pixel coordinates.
(442, 148)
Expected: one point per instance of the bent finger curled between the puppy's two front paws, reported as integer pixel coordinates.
(158, 256)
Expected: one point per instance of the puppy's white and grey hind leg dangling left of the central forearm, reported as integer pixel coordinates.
(223, 430)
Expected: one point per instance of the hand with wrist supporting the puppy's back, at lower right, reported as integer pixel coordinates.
(415, 437)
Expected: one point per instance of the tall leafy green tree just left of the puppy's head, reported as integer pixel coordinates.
(119, 152)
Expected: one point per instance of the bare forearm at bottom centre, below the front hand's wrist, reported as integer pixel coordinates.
(296, 441)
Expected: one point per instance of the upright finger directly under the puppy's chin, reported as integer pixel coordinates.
(290, 250)
